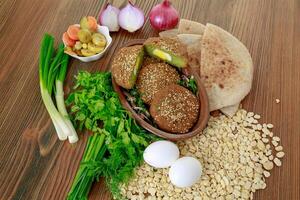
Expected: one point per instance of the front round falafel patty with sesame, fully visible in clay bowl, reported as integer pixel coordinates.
(175, 109)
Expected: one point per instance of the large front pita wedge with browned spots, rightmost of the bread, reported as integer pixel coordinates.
(226, 68)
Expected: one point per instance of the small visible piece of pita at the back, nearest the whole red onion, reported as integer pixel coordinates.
(190, 27)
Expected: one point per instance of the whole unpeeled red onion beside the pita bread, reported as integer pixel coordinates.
(163, 16)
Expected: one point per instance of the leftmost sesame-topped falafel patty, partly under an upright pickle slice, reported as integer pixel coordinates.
(126, 64)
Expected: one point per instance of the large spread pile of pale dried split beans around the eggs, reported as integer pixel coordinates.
(246, 159)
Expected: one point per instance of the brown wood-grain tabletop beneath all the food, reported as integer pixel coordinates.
(35, 165)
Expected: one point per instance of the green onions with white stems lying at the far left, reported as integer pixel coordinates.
(52, 65)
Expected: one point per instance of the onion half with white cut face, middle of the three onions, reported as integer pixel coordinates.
(131, 18)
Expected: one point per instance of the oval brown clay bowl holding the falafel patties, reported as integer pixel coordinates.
(203, 112)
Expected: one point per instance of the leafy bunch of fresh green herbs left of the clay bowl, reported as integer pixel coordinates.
(117, 144)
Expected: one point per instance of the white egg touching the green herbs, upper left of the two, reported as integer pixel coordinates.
(161, 154)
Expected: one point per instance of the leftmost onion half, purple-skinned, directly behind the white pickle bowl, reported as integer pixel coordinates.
(109, 17)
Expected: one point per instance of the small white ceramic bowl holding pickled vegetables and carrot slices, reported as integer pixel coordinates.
(101, 29)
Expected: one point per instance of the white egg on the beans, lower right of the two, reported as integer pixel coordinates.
(185, 172)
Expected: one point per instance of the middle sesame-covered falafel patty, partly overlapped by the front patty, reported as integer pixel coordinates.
(153, 77)
